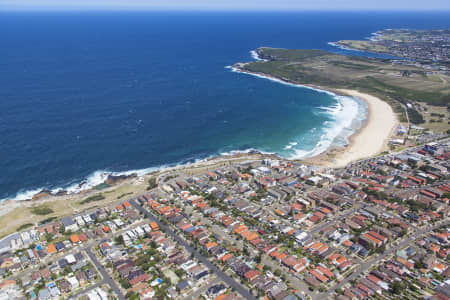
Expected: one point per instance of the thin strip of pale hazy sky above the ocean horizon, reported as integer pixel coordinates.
(264, 5)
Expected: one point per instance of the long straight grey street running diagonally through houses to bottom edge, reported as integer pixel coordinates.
(228, 280)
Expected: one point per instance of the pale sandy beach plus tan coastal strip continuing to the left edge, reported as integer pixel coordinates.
(380, 122)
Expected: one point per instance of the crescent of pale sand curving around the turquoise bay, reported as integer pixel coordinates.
(370, 140)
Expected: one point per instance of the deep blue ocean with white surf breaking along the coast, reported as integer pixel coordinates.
(82, 92)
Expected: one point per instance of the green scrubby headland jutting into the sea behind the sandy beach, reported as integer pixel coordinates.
(395, 83)
